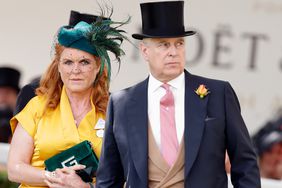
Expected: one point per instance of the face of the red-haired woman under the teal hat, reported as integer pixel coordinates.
(78, 70)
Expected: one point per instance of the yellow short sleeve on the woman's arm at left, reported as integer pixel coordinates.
(29, 116)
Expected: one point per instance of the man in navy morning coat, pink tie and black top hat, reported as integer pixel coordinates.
(172, 129)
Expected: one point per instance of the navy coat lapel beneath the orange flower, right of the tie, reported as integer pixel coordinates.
(195, 114)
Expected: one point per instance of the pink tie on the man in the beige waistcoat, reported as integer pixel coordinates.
(169, 142)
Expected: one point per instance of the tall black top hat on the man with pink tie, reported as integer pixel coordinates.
(162, 20)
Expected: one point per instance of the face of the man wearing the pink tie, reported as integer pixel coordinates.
(166, 57)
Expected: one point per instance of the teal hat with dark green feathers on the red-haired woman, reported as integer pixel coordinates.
(98, 38)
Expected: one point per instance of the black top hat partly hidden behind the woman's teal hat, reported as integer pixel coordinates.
(76, 17)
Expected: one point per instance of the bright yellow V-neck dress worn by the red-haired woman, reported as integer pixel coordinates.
(56, 130)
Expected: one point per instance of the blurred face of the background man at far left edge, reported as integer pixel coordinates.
(8, 97)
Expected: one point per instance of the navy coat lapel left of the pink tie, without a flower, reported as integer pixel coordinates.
(138, 128)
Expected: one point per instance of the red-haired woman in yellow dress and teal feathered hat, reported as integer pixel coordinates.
(69, 107)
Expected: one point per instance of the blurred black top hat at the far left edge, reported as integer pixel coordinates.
(9, 77)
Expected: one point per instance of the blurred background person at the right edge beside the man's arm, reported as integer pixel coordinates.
(268, 144)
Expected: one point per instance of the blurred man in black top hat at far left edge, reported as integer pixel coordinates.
(9, 88)
